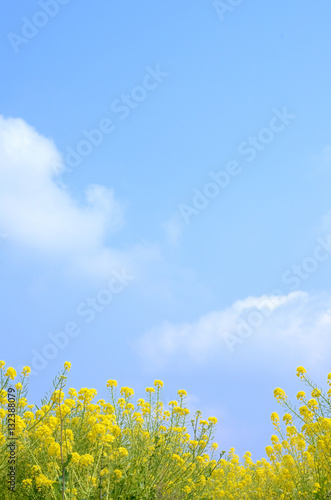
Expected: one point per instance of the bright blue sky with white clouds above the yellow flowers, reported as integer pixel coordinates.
(154, 269)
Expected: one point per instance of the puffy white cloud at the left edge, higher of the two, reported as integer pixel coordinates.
(38, 212)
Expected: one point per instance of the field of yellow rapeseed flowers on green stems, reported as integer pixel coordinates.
(78, 447)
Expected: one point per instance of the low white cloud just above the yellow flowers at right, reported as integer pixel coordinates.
(288, 325)
